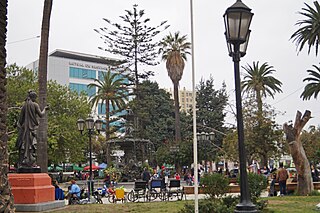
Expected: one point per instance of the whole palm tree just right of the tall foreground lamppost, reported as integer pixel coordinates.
(258, 80)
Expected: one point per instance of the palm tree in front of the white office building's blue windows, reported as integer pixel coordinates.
(113, 91)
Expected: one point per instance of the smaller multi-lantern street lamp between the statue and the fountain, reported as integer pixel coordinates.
(90, 125)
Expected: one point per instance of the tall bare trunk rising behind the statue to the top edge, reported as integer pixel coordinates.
(42, 151)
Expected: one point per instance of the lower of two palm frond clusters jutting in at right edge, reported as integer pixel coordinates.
(312, 88)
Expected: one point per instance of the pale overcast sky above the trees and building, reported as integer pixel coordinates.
(73, 22)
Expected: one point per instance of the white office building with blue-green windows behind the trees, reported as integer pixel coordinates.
(76, 70)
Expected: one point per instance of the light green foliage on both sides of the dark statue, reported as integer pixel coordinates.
(64, 140)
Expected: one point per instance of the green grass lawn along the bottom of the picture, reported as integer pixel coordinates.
(287, 204)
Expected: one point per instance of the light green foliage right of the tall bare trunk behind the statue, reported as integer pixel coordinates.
(66, 107)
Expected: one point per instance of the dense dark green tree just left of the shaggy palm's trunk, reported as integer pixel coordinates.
(155, 112)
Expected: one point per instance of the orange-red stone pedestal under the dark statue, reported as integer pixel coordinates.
(33, 189)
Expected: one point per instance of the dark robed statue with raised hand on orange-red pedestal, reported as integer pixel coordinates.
(27, 131)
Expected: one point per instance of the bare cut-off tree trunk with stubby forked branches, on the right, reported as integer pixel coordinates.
(305, 185)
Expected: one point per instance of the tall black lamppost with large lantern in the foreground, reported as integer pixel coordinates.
(237, 20)
